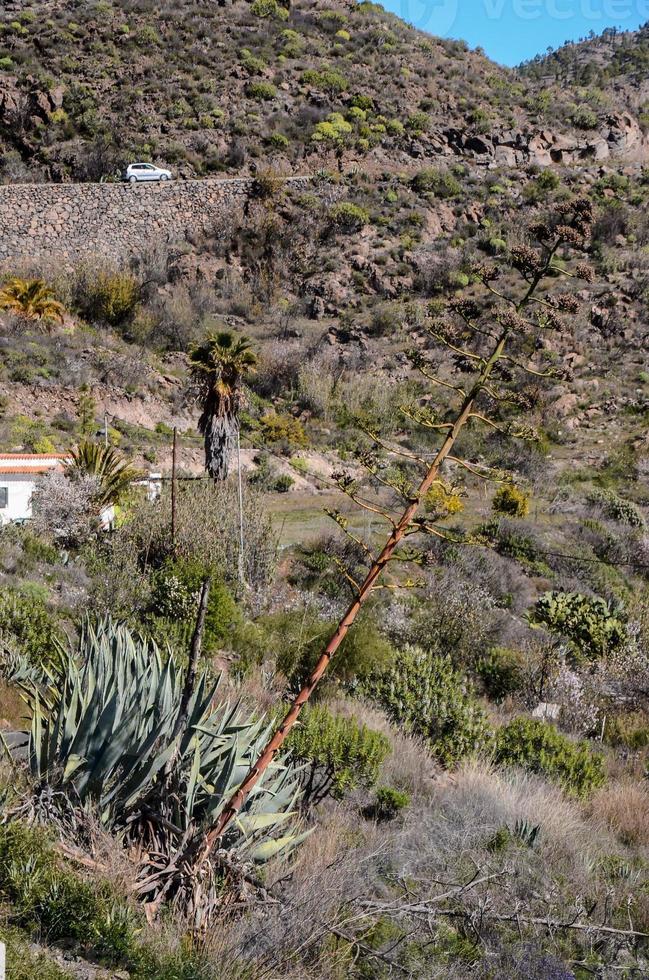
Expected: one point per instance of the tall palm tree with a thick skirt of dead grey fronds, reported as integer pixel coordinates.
(218, 367)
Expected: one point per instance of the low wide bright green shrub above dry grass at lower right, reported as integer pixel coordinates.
(538, 746)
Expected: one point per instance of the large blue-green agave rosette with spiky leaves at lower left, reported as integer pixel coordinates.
(104, 732)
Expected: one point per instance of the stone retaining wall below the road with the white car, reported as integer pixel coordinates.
(66, 222)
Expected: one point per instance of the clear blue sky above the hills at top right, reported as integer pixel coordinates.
(511, 31)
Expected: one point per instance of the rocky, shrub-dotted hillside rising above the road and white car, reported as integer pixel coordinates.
(209, 88)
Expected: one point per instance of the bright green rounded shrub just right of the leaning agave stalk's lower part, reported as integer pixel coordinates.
(340, 753)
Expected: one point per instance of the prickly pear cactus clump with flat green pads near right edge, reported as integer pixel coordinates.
(587, 622)
